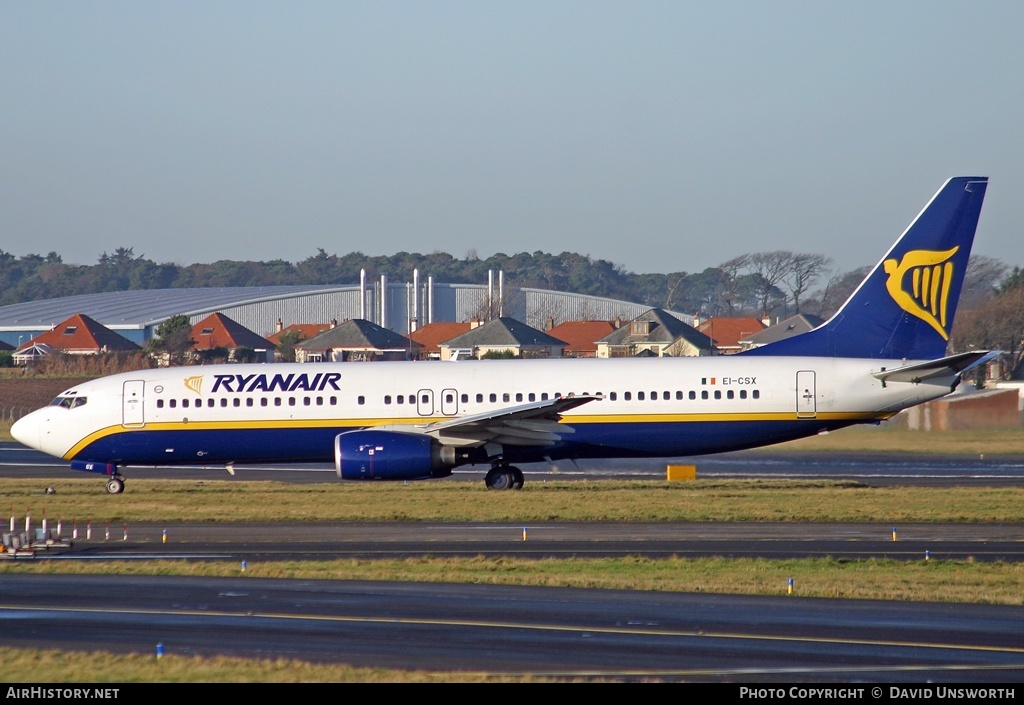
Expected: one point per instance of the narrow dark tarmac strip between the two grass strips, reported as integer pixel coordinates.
(784, 541)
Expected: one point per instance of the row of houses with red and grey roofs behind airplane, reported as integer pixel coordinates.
(656, 334)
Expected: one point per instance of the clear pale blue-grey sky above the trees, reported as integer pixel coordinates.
(663, 137)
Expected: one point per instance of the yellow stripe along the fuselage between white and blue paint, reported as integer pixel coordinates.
(370, 423)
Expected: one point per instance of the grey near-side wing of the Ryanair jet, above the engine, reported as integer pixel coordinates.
(537, 424)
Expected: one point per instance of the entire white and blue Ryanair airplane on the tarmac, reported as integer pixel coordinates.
(883, 352)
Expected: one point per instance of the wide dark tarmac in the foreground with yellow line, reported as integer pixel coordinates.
(521, 632)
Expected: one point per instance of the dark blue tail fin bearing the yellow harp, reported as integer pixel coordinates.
(906, 307)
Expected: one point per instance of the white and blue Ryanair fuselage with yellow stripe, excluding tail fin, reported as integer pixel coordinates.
(657, 407)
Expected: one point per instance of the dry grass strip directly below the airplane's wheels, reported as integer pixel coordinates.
(701, 501)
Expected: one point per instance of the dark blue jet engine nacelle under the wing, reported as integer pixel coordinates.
(388, 455)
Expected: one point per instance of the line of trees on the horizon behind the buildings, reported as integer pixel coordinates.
(772, 284)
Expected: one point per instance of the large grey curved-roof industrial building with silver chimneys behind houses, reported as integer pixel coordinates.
(399, 307)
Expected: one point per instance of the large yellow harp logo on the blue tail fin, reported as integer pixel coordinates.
(927, 294)
